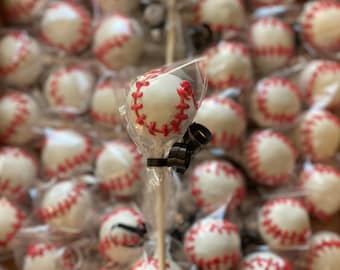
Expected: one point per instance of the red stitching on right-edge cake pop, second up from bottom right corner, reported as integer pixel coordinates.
(305, 177)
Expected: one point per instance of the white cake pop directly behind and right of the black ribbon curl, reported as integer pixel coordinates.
(225, 119)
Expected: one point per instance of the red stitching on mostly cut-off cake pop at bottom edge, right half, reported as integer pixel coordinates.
(274, 263)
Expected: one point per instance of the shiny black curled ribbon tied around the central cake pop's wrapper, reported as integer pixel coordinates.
(180, 154)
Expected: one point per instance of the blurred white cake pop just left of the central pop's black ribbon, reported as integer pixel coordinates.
(119, 168)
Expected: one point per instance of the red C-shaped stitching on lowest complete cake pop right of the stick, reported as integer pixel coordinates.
(213, 226)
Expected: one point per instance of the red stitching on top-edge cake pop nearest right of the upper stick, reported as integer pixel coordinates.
(219, 27)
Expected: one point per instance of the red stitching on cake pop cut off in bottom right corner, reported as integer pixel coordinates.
(317, 249)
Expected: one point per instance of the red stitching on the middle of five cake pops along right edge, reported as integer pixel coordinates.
(306, 130)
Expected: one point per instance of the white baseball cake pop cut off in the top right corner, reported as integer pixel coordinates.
(319, 21)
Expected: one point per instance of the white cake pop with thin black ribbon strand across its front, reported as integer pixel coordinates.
(116, 243)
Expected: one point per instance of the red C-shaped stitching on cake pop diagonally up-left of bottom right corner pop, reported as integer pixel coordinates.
(285, 236)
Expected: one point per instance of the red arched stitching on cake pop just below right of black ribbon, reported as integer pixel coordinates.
(228, 170)
